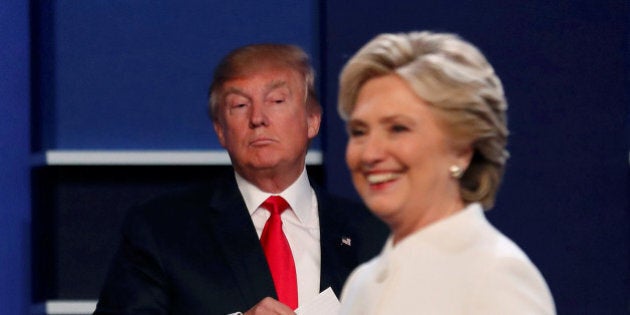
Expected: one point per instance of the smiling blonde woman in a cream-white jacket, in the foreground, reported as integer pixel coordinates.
(426, 116)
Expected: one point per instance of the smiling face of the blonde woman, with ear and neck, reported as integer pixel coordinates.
(399, 155)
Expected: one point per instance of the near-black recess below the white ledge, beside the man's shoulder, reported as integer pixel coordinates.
(79, 214)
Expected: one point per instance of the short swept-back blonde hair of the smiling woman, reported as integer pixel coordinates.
(457, 81)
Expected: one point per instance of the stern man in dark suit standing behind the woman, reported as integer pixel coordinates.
(199, 252)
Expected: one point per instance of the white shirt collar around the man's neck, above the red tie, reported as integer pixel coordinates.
(298, 195)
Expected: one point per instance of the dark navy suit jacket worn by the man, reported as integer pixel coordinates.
(197, 252)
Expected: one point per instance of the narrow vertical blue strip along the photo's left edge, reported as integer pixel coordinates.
(14, 157)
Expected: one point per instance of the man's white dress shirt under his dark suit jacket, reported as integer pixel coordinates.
(301, 227)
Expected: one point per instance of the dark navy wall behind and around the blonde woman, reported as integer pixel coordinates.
(564, 65)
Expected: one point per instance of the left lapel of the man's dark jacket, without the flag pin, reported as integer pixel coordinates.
(237, 238)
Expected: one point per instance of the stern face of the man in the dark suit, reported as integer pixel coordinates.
(263, 121)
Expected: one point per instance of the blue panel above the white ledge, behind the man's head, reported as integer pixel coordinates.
(135, 74)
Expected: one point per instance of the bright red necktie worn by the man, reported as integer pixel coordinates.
(278, 253)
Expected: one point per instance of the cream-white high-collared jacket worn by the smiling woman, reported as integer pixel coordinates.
(458, 265)
